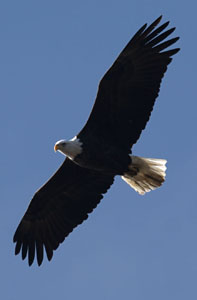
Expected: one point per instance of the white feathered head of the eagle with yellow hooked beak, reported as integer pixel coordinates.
(69, 148)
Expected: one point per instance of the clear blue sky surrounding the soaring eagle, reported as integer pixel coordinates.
(52, 56)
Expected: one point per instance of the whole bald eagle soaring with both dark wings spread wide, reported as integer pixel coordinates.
(102, 149)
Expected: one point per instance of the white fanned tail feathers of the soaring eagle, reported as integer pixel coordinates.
(145, 174)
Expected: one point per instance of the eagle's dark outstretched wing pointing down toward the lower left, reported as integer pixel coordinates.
(57, 208)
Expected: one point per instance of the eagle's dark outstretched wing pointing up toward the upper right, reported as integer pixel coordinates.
(128, 90)
